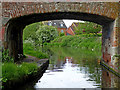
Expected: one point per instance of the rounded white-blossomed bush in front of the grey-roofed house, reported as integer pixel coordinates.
(46, 33)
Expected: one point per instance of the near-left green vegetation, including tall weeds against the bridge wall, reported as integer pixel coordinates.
(13, 72)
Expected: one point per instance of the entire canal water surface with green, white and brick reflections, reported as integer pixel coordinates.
(75, 68)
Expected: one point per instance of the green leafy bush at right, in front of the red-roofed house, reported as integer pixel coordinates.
(87, 27)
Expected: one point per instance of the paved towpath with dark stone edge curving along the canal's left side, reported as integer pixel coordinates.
(42, 66)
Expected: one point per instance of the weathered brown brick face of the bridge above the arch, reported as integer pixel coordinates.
(17, 9)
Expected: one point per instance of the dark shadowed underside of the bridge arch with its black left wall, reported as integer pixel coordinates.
(16, 25)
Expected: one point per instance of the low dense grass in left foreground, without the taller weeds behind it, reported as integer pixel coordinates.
(11, 71)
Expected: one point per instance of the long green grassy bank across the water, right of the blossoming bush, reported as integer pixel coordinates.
(80, 41)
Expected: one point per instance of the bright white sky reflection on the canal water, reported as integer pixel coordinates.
(69, 76)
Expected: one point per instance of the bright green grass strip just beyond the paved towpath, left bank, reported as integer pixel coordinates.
(30, 50)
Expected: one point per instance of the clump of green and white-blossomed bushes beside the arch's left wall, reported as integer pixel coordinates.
(37, 33)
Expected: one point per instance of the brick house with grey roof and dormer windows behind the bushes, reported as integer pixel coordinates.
(61, 27)
